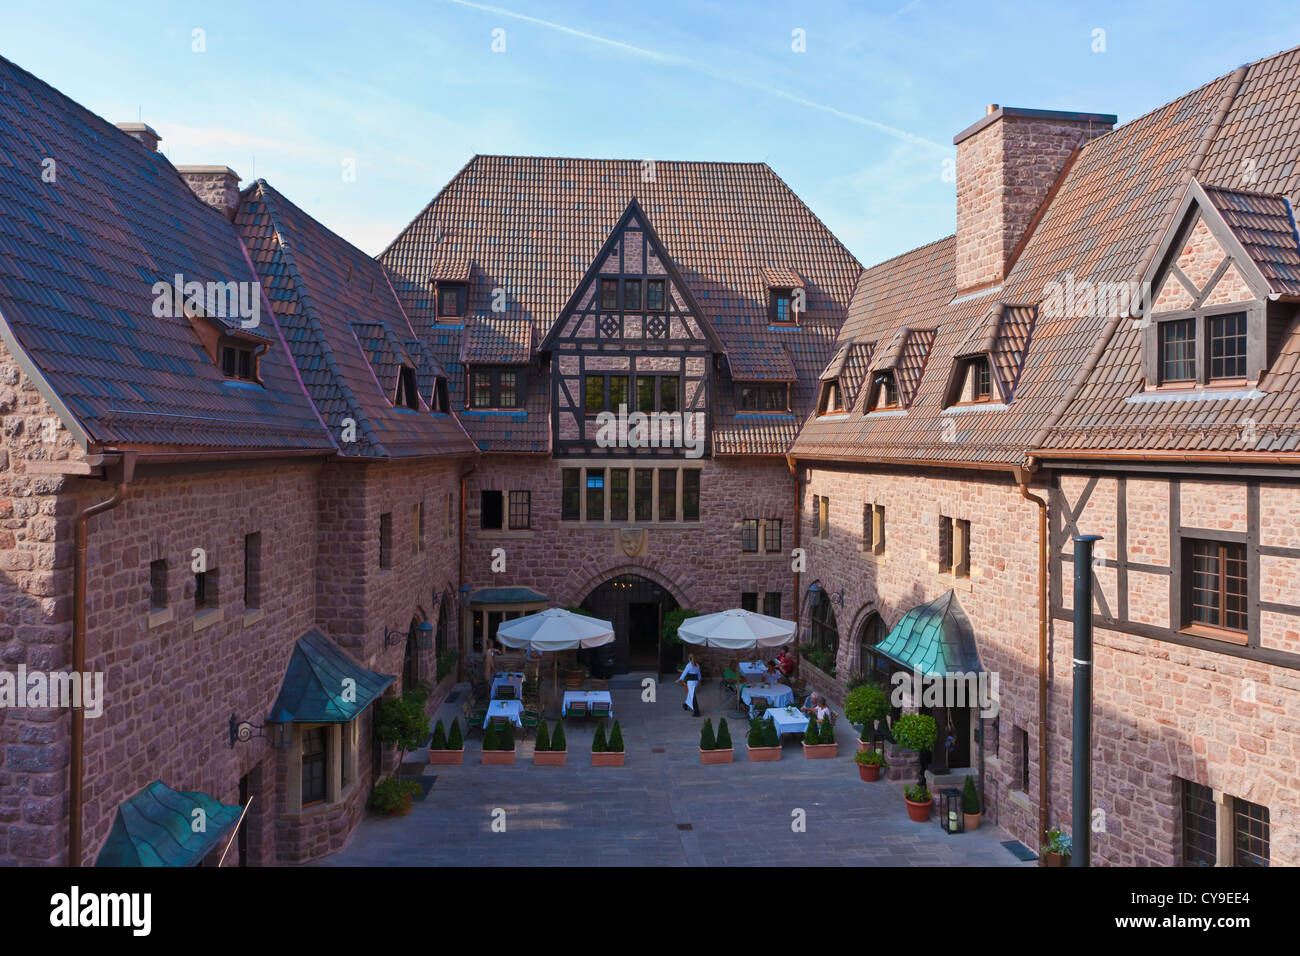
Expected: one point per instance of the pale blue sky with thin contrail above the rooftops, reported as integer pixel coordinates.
(860, 124)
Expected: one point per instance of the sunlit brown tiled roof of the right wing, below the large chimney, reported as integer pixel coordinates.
(1102, 226)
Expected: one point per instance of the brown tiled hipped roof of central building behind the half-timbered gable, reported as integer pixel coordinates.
(534, 227)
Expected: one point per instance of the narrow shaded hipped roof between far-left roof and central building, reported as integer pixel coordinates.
(346, 330)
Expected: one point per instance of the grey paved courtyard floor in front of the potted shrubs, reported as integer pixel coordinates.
(662, 810)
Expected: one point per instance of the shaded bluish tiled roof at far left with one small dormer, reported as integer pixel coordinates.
(81, 252)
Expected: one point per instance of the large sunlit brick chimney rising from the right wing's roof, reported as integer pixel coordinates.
(1007, 166)
